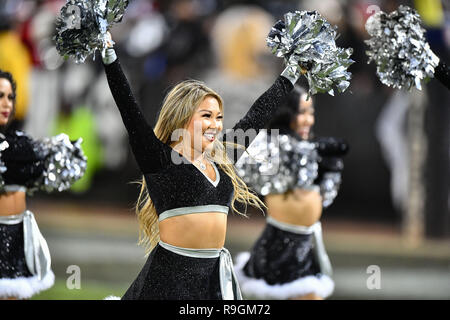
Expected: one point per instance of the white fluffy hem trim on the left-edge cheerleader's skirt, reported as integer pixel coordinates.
(25, 287)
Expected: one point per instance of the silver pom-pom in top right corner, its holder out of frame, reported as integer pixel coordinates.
(399, 49)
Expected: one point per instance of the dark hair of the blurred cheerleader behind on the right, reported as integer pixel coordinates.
(287, 112)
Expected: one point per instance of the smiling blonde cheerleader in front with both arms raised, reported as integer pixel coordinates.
(189, 186)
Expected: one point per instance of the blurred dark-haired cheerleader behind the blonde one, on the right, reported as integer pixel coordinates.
(289, 261)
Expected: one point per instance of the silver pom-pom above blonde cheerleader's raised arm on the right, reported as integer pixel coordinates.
(306, 41)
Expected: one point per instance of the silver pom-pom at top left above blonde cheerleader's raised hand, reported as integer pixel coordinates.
(82, 26)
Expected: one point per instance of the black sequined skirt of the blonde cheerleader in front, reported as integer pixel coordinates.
(168, 275)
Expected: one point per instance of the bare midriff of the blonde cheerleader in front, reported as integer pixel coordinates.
(195, 230)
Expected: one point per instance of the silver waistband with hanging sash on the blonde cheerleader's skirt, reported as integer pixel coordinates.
(227, 276)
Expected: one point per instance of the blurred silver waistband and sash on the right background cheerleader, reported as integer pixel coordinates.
(319, 247)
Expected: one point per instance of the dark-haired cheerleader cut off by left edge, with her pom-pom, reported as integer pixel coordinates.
(28, 165)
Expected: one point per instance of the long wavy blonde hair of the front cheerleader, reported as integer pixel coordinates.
(178, 108)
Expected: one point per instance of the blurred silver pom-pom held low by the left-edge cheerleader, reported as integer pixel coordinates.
(64, 163)
